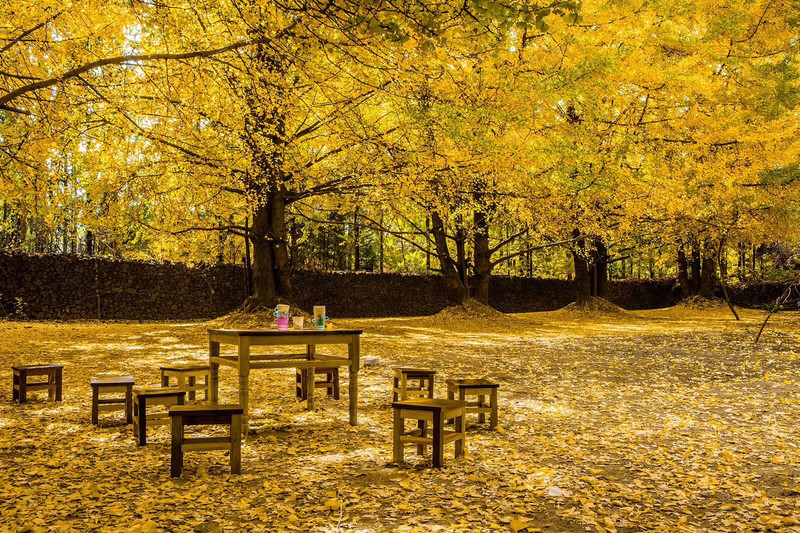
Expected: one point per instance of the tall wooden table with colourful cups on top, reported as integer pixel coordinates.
(244, 361)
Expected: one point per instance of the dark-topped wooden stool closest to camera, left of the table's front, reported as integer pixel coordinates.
(206, 415)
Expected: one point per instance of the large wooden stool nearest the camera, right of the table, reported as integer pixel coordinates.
(426, 410)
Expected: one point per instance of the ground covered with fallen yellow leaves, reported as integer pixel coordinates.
(668, 420)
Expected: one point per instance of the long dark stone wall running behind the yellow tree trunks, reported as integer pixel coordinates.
(72, 287)
